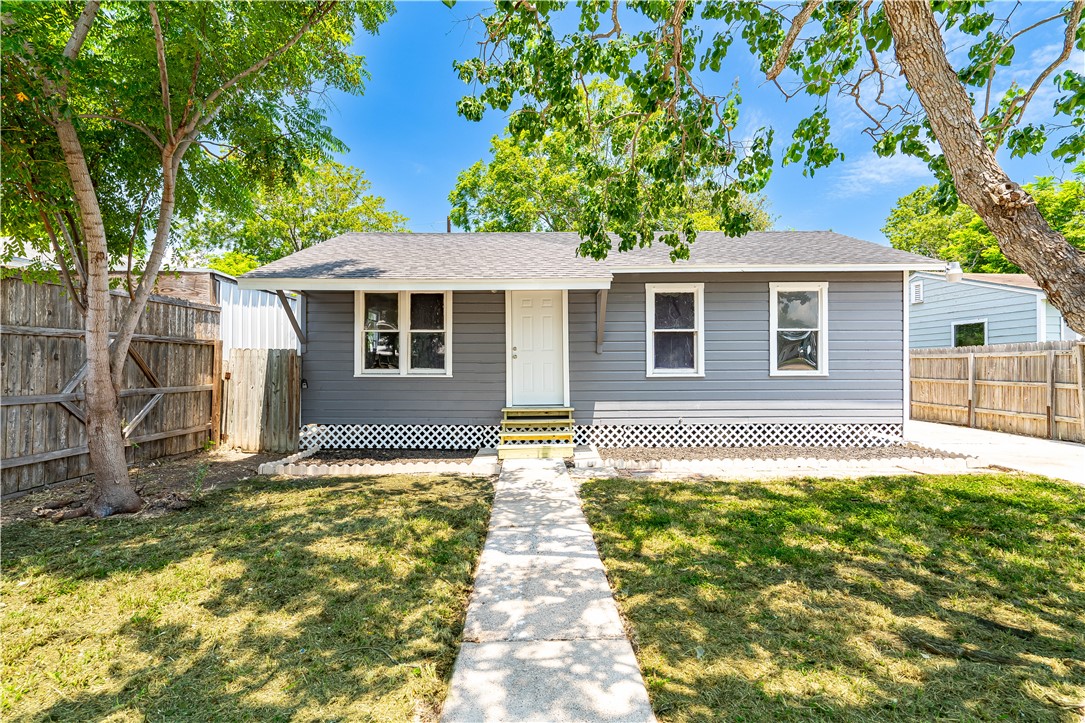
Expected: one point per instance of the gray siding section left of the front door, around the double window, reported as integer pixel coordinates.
(474, 396)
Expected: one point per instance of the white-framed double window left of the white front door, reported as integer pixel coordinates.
(403, 333)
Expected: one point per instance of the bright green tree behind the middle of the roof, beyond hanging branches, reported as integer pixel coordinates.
(540, 186)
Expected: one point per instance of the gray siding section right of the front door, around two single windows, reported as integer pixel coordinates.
(865, 357)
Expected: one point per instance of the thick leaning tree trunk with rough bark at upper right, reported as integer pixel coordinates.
(1009, 211)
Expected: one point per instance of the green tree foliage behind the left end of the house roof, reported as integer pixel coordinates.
(326, 200)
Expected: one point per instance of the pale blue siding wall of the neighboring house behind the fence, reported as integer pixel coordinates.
(1011, 315)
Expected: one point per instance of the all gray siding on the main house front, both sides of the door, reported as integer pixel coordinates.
(865, 361)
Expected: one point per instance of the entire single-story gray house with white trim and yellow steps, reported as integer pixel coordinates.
(464, 340)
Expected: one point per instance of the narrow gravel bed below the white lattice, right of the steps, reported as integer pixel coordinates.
(782, 452)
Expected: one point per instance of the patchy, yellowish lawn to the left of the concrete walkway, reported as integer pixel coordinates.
(327, 600)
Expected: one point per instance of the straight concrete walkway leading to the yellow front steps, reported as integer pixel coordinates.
(543, 639)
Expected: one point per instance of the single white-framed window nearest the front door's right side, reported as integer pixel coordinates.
(675, 323)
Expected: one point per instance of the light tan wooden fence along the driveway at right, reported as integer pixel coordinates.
(1036, 389)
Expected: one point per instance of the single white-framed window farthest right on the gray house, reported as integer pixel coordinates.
(799, 329)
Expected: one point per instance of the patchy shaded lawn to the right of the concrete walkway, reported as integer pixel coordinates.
(814, 600)
